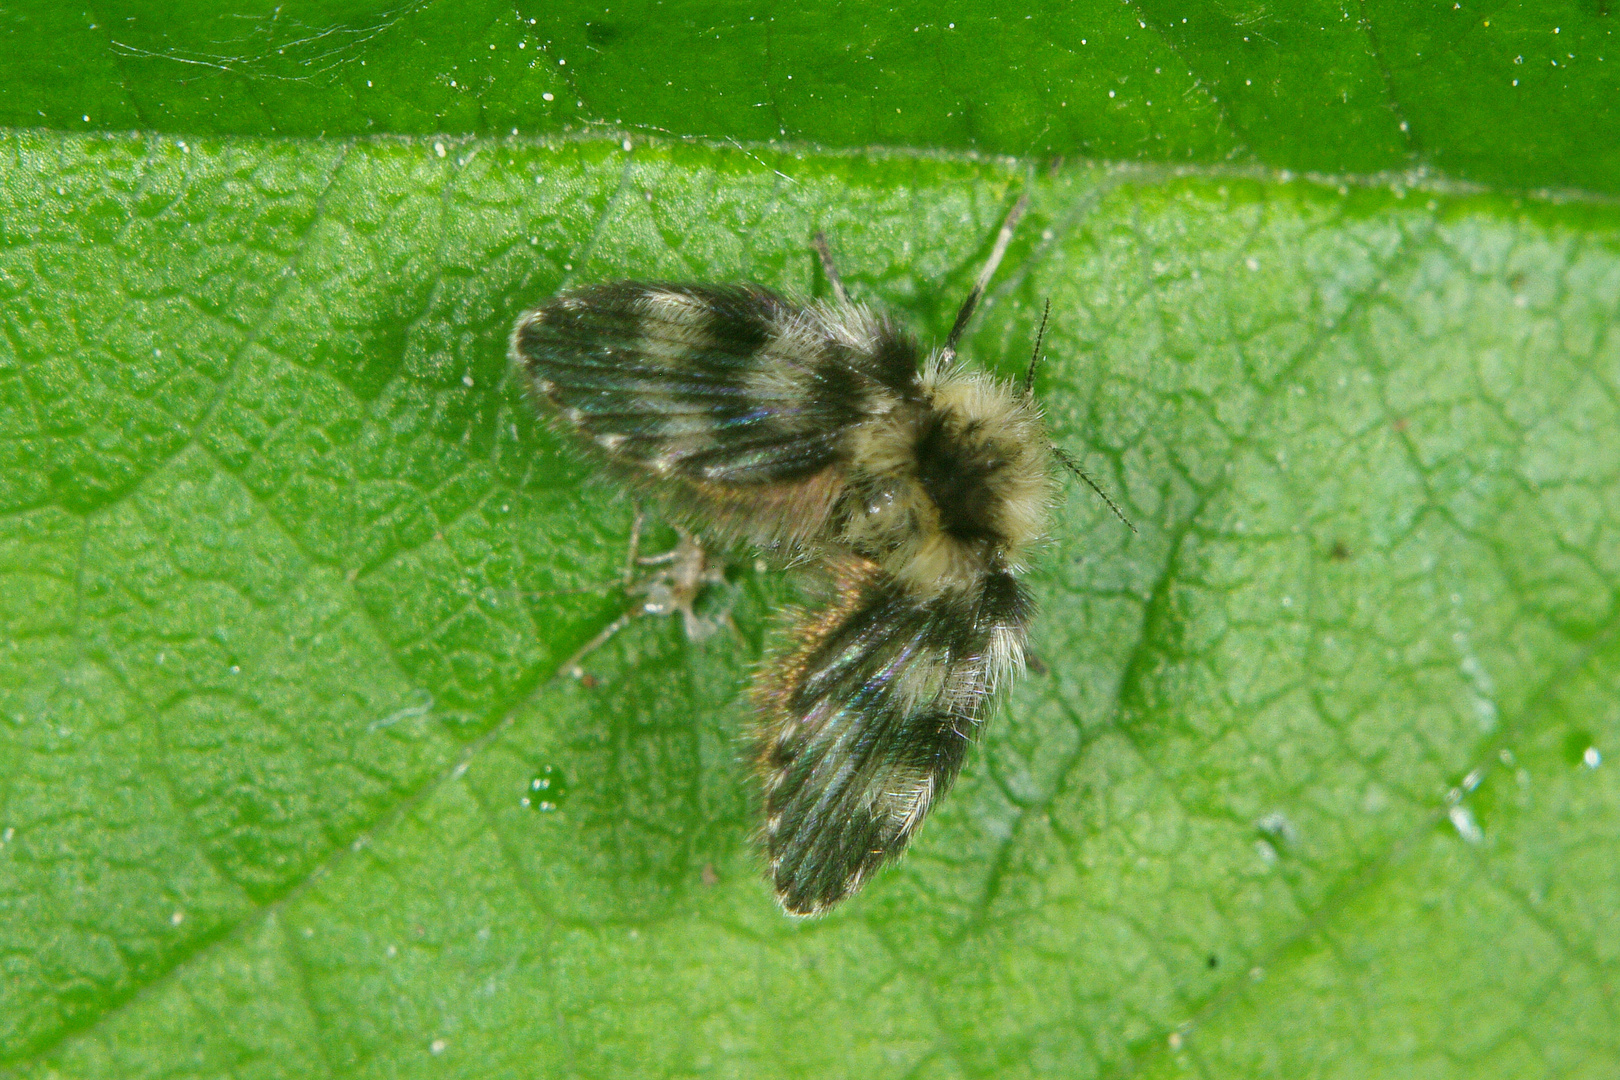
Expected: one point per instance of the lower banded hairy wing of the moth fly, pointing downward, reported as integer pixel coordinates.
(866, 721)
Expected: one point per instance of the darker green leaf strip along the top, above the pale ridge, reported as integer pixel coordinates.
(1519, 95)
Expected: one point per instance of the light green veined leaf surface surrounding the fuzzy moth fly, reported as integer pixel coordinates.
(1321, 778)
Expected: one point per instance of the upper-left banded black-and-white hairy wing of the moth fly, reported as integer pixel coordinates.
(731, 401)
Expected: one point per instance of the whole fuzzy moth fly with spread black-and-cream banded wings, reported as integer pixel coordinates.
(824, 435)
